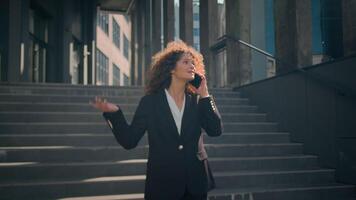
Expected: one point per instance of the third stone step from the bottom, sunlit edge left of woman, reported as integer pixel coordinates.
(56, 171)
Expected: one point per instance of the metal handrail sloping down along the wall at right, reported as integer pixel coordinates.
(342, 90)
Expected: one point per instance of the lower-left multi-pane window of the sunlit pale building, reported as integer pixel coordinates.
(102, 66)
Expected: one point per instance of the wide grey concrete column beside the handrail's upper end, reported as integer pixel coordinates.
(238, 57)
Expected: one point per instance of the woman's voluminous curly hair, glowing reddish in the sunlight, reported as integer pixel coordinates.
(163, 62)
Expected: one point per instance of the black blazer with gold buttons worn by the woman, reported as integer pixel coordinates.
(173, 163)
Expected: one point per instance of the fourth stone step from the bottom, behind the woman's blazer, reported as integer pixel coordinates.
(117, 153)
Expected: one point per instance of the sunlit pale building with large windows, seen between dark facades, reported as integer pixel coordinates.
(113, 36)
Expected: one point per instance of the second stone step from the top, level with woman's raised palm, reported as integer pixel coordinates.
(86, 99)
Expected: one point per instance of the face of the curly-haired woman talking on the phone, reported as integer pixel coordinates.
(184, 68)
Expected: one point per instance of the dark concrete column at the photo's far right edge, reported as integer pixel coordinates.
(349, 26)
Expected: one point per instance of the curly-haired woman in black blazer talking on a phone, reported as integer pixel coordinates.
(173, 113)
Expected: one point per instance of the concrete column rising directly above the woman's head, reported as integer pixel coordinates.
(186, 21)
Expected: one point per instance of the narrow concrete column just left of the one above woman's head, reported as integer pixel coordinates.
(168, 21)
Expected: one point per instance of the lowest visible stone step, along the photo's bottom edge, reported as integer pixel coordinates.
(329, 191)
